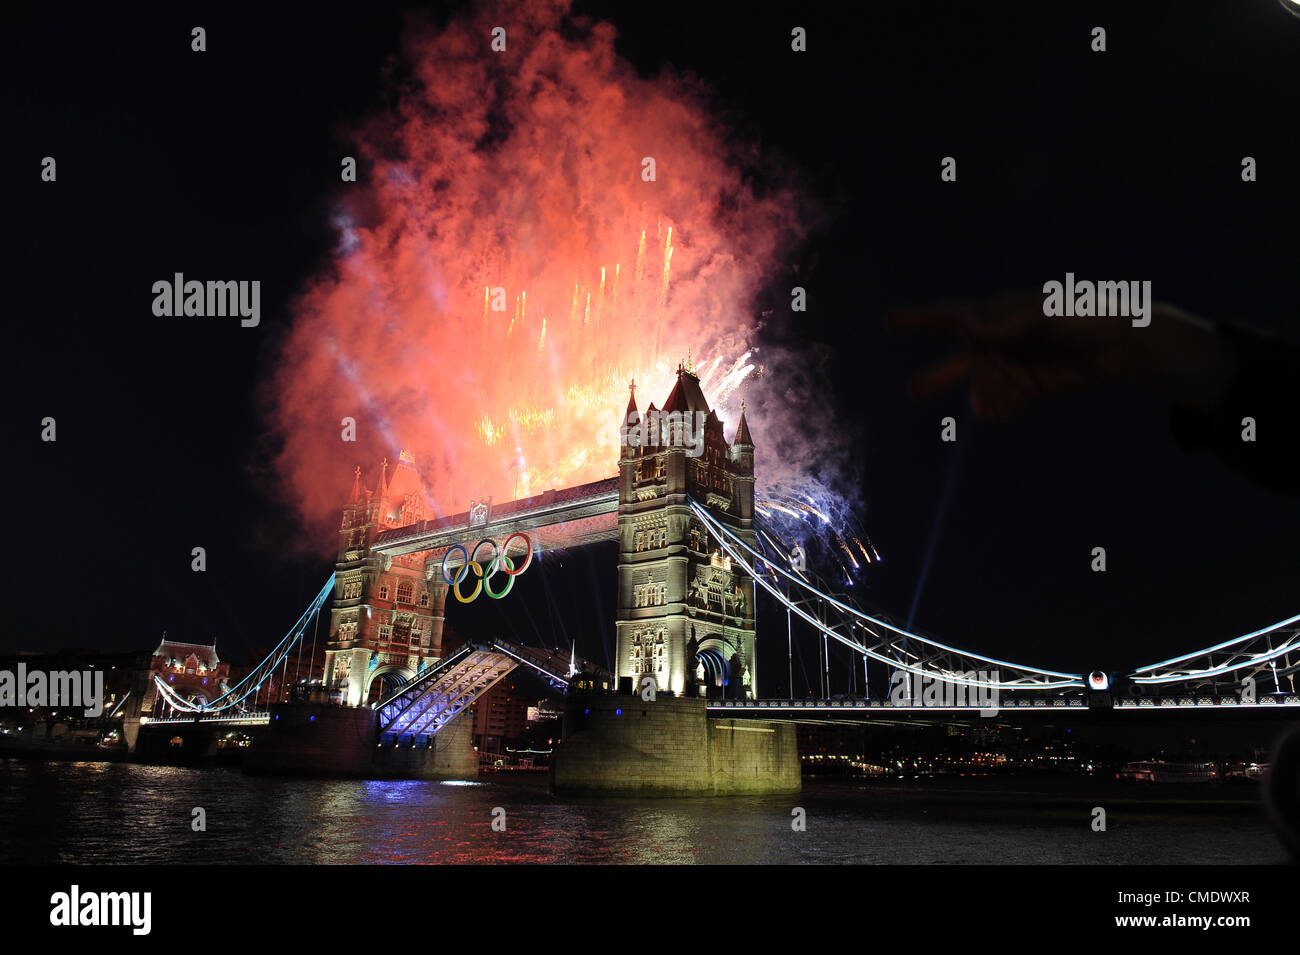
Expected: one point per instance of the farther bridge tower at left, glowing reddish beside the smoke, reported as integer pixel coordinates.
(387, 617)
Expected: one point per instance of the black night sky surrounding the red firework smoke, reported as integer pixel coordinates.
(1116, 166)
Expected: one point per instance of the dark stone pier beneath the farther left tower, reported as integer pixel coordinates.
(330, 740)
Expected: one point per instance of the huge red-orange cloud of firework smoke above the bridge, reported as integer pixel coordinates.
(504, 271)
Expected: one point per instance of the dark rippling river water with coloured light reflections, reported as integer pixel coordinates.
(118, 813)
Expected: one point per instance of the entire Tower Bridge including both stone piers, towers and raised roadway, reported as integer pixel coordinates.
(681, 714)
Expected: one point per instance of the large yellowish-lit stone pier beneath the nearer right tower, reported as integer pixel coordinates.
(621, 745)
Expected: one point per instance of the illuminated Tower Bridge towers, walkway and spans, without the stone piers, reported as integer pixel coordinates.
(694, 555)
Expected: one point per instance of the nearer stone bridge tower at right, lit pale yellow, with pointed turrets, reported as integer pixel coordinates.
(686, 617)
